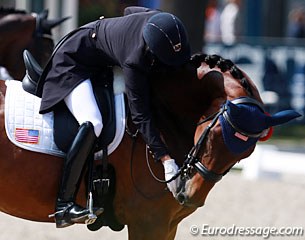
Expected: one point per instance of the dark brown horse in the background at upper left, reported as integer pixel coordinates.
(20, 30)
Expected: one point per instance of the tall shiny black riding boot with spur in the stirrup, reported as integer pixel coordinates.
(67, 212)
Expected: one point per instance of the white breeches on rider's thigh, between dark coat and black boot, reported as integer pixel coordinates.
(82, 104)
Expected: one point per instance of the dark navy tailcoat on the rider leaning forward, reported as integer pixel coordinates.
(106, 42)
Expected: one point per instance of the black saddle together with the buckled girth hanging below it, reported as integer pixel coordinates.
(65, 130)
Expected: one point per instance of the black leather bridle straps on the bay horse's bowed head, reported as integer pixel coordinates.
(192, 160)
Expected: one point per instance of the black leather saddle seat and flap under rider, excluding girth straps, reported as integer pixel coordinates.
(103, 91)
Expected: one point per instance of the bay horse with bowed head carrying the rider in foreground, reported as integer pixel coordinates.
(186, 104)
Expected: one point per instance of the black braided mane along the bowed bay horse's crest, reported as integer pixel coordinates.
(224, 65)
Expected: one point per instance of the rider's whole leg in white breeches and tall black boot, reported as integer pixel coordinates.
(83, 106)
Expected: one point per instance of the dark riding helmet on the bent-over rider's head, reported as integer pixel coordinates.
(167, 39)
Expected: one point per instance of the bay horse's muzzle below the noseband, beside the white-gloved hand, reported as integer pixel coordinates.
(193, 192)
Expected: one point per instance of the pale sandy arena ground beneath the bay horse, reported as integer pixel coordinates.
(234, 202)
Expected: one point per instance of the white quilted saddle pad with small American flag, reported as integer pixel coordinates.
(28, 129)
